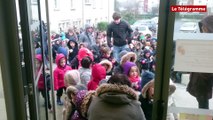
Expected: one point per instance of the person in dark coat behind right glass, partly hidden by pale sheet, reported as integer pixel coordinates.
(200, 84)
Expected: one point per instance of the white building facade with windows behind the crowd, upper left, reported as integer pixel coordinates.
(64, 14)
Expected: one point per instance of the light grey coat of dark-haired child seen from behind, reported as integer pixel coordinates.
(85, 75)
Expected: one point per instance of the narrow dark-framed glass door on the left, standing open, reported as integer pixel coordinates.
(36, 64)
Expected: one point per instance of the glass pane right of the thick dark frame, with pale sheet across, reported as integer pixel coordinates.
(191, 69)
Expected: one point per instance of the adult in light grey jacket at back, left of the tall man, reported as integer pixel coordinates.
(87, 37)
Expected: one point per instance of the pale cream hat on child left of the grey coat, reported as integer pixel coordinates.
(72, 77)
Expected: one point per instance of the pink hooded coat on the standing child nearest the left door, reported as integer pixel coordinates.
(59, 73)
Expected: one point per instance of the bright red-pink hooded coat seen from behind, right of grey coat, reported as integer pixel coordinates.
(98, 74)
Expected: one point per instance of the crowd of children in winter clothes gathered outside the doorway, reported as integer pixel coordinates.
(82, 71)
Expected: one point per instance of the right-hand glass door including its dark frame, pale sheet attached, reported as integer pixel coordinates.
(187, 48)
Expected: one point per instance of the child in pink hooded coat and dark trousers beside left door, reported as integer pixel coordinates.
(59, 73)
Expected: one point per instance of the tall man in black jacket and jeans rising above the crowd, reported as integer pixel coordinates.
(120, 31)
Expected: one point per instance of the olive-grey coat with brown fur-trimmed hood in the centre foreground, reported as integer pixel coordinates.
(115, 102)
